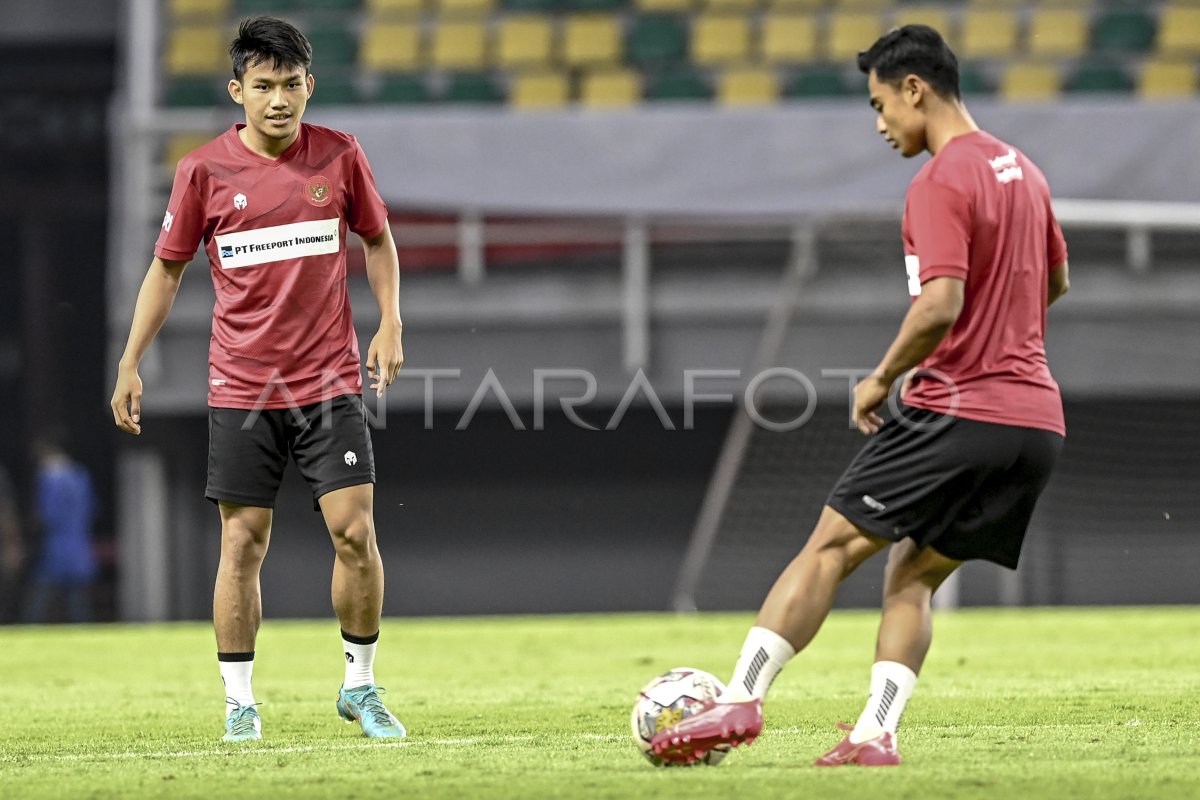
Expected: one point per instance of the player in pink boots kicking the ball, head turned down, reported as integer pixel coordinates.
(958, 474)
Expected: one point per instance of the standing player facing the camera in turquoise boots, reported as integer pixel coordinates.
(273, 201)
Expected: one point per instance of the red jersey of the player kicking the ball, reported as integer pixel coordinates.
(980, 210)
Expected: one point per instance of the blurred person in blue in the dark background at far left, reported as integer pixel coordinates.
(65, 507)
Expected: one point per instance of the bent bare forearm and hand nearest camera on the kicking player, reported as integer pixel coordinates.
(929, 320)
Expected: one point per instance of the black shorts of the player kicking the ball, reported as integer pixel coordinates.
(967, 489)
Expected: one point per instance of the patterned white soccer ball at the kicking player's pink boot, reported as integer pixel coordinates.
(668, 700)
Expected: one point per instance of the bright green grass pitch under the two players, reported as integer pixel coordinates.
(1055, 703)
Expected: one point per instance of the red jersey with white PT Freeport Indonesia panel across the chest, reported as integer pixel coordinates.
(275, 236)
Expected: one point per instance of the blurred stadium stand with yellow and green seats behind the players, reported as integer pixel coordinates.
(651, 209)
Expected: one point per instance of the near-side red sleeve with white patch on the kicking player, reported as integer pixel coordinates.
(939, 224)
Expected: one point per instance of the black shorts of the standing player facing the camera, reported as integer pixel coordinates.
(249, 449)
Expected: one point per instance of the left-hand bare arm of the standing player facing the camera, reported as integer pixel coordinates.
(155, 299)
